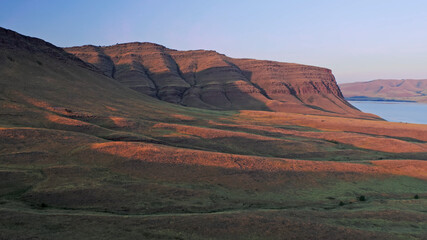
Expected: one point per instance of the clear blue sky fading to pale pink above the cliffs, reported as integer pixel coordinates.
(358, 40)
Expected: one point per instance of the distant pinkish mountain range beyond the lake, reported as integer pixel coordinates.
(386, 90)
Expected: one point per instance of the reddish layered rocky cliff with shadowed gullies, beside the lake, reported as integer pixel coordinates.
(207, 79)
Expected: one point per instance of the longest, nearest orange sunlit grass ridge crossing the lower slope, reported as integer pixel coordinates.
(170, 155)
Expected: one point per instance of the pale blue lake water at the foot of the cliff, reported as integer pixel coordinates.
(409, 112)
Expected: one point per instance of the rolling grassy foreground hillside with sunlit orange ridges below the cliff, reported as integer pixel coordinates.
(83, 156)
